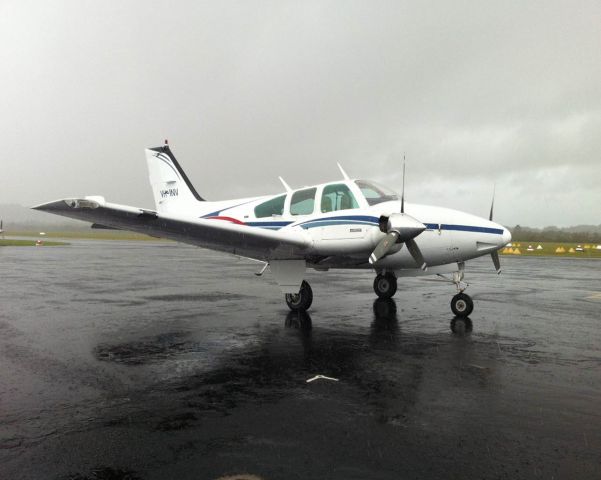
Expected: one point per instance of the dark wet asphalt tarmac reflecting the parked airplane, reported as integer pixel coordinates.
(151, 361)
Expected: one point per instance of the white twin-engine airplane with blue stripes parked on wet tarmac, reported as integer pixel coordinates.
(344, 224)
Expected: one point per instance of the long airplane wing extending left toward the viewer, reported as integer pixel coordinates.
(252, 242)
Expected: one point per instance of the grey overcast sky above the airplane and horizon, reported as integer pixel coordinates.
(473, 93)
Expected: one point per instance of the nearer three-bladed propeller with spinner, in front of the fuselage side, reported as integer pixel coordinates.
(399, 228)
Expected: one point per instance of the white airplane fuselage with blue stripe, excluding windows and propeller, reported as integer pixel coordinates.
(344, 238)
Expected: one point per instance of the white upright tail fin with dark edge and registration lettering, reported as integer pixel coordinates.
(170, 185)
